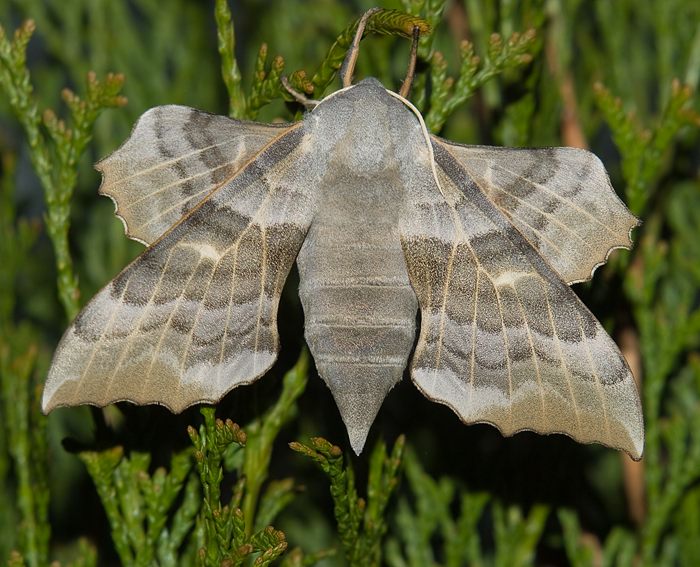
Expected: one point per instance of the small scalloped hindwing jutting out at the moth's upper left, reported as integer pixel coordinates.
(173, 159)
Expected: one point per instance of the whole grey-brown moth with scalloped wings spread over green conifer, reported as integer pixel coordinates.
(383, 219)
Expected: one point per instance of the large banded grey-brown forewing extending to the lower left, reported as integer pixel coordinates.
(195, 314)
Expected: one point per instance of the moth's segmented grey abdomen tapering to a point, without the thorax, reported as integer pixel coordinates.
(359, 308)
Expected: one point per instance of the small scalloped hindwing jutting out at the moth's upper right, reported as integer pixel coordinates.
(560, 199)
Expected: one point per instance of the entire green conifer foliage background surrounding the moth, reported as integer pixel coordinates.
(616, 77)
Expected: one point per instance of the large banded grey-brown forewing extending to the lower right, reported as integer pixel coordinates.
(503, 339)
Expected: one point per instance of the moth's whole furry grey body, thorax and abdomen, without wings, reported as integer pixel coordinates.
(359, 306)
